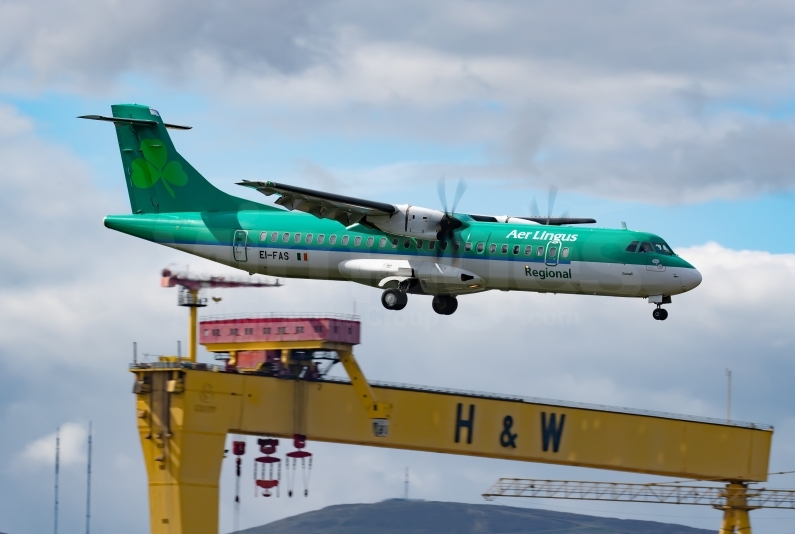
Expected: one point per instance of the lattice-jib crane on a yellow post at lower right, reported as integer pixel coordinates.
(734, 499)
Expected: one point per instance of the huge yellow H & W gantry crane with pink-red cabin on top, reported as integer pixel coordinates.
(273, 385)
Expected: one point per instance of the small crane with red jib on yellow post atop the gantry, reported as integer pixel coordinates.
(190, 285)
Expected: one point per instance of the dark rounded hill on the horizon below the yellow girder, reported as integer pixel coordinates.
(420, 517)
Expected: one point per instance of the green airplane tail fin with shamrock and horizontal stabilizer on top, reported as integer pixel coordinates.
(159, 180)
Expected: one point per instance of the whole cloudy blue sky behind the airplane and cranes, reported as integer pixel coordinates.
(675, 117)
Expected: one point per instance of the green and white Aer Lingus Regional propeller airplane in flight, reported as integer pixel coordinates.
(400, 249)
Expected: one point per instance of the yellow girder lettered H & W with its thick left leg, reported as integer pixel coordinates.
(185, 414)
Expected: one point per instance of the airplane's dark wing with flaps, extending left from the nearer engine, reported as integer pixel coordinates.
(343, 209)
